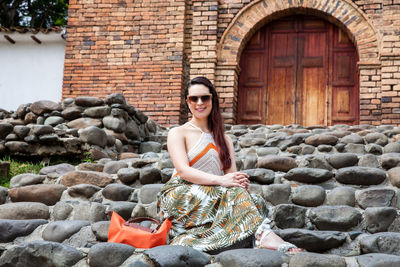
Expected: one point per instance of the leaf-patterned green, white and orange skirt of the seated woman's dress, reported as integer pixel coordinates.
(210, 218)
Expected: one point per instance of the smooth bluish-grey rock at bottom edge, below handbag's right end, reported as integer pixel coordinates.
(177, 256)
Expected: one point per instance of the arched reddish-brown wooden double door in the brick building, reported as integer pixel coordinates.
(299, 69)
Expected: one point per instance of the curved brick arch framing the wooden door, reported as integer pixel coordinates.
(343, 13)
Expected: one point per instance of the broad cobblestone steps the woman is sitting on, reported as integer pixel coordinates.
(332, 191)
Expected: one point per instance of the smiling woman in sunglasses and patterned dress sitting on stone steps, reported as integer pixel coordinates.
(206, 195)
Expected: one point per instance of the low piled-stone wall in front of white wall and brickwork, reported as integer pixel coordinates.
(75, 126)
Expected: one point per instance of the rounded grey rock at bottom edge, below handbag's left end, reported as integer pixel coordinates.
(113, 254)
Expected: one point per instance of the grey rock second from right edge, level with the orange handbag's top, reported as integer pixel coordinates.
(340, 218)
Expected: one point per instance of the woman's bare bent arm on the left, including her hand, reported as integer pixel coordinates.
(177, 151)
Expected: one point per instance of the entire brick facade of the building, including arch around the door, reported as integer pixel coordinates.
(148, 50)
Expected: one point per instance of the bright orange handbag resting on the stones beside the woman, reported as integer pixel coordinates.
(121, 232)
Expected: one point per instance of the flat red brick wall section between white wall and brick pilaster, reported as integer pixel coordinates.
(131, 47)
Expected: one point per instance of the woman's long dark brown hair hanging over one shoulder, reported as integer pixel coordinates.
(215, 121)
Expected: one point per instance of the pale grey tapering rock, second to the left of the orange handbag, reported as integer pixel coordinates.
(58, 231)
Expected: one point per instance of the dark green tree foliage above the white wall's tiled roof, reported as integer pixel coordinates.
(33, 13)
